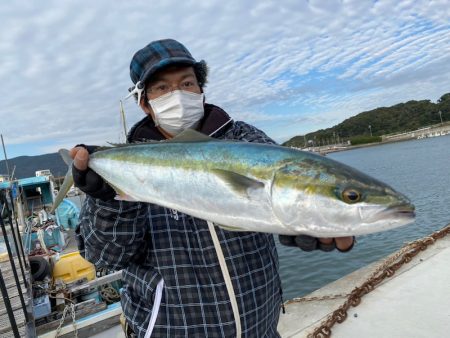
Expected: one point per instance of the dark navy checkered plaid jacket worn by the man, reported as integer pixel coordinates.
(150, 242)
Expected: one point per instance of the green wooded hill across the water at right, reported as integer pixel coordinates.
(399, 118)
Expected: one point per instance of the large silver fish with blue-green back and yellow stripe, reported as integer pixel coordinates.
(252, 187)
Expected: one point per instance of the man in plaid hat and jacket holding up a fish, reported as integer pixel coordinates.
(174, 284)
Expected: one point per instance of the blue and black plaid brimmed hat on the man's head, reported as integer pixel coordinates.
(157, 55)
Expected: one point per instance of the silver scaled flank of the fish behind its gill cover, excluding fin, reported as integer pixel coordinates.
(180, 176)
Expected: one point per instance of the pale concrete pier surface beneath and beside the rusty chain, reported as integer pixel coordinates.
(414, 302)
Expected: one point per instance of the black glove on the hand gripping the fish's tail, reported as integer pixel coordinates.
(90, 182)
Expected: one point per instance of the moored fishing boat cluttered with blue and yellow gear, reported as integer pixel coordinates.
(48, 289)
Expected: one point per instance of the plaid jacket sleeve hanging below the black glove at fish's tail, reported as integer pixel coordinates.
(112, 234)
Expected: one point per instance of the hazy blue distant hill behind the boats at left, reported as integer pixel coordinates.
(26, 166)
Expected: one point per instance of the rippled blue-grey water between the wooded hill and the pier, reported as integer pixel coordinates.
(420, 169)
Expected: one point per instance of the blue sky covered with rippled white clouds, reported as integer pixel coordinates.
(287, 67)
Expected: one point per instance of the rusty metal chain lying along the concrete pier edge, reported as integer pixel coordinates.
(387, 270)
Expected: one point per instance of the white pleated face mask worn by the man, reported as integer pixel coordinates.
(178, 111)
